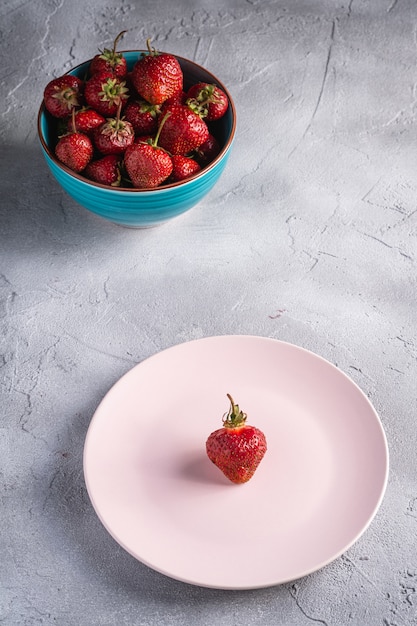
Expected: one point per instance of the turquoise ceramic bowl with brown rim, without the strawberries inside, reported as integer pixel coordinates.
(142, 208)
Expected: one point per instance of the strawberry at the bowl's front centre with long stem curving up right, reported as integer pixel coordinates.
(146, 163)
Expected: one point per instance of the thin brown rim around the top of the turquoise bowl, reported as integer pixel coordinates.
(42, 111)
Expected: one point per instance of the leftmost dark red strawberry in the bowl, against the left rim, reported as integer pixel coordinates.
(62, 94)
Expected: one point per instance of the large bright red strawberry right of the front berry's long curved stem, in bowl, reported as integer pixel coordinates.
(183, 131)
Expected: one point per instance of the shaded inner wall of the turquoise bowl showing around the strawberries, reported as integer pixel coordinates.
(222, 129)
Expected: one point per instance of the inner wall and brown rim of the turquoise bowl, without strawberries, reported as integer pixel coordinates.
(223, 129)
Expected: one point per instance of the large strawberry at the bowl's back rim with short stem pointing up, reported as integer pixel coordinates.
(157, 76)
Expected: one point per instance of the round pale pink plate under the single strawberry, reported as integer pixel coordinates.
(315, 492)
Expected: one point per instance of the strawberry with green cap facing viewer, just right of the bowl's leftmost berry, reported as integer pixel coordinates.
(104, 92)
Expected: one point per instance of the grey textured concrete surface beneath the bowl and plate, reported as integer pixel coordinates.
(309, 237)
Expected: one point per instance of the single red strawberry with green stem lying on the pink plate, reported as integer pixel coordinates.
(237, 448)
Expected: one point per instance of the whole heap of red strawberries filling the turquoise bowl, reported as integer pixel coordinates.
(134, 129)
